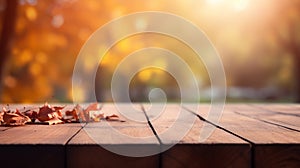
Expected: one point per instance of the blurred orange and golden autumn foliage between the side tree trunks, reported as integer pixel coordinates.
(49, 35)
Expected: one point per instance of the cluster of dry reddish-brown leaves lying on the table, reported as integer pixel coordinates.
(54, 115)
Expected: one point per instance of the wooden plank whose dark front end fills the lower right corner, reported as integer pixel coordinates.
(268, 140)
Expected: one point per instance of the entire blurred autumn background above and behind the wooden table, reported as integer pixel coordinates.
(258, 42)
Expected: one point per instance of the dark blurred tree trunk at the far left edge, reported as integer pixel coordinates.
(8, 25)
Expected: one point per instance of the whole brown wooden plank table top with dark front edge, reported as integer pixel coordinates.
(246, 135)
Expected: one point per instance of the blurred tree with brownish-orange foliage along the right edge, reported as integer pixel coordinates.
(286, 29)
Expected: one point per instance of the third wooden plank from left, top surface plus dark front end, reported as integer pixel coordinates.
(220, 149)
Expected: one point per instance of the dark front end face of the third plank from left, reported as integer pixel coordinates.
(207, 155)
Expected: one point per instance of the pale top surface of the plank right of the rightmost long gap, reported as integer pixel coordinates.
(254, 130)
